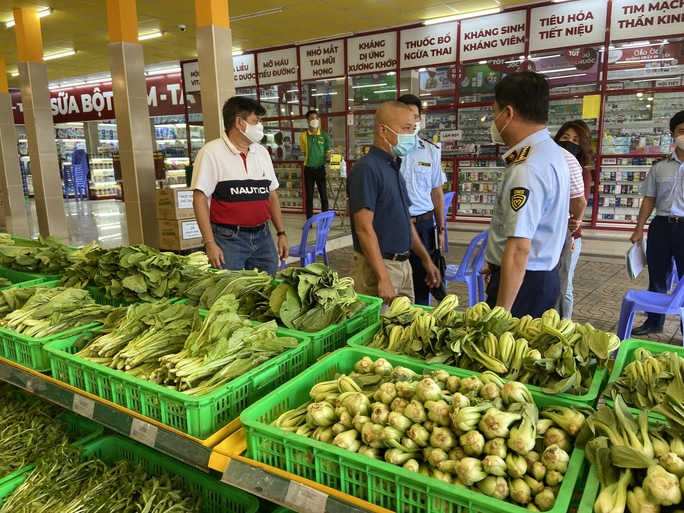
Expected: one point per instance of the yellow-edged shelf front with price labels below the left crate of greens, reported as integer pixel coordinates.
(149, 432)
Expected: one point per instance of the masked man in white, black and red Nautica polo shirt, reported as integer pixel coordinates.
(236, 172)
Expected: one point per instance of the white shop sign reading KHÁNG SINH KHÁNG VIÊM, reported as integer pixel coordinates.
(493, 36)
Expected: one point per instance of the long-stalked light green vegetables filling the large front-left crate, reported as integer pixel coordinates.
(168, 345)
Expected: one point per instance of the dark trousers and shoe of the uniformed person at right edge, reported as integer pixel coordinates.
(665, 241)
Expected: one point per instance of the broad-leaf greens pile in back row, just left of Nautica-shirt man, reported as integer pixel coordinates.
(134, 273)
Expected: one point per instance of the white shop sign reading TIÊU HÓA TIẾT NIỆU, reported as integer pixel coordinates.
(567, 25)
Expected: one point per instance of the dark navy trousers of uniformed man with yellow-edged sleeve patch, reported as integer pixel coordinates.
(537, 293)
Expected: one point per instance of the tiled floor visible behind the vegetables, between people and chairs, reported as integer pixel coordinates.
(599, 286)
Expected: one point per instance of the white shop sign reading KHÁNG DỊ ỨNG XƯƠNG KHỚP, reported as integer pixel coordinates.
(372, 54)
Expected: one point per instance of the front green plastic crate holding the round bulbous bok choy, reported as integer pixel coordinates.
(377, 482)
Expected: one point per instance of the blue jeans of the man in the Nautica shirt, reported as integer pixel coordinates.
(245, 250)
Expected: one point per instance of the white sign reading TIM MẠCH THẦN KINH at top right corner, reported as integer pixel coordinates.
(637, 19)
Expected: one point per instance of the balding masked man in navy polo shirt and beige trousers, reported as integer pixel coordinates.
(382, 231)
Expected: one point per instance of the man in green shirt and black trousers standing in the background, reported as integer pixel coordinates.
(315, 144)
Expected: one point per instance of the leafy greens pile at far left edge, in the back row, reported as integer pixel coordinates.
(45, 256)
